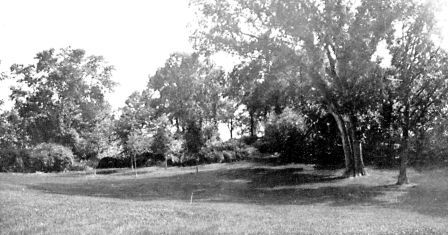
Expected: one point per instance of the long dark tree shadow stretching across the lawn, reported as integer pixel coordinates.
(265, 185)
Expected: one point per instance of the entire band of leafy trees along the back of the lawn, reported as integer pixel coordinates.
(312, 85)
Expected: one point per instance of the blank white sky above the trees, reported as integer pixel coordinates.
(136, 36)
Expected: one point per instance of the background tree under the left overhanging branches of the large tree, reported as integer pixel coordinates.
(266, 85)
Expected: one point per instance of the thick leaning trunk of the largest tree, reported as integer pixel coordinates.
(354, 164)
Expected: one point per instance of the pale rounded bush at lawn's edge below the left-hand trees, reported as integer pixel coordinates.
(49, 157)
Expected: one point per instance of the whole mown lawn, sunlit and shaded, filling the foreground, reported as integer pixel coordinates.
(236, 198)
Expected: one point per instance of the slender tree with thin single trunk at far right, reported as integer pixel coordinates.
(417, 80)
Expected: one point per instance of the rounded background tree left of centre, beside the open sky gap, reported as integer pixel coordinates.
(189, 87)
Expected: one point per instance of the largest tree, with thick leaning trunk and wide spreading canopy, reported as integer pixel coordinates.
(333, 43)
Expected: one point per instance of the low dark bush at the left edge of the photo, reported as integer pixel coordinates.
(13, 160)
